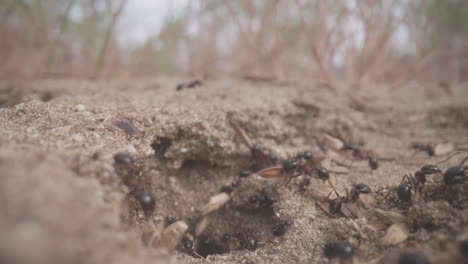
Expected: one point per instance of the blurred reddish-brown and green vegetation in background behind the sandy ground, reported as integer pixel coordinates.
(357, 41)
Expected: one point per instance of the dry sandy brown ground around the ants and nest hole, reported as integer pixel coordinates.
(63, 200)
